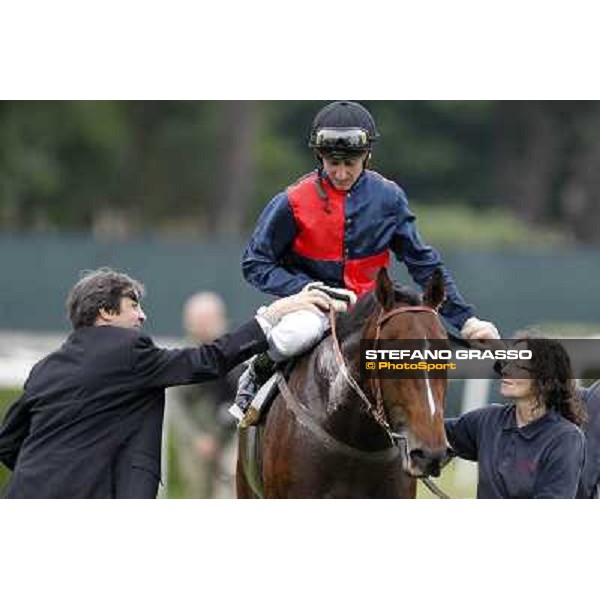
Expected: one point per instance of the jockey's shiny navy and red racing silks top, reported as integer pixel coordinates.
(314, 232)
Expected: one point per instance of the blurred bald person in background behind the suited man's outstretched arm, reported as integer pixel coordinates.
(203, 429)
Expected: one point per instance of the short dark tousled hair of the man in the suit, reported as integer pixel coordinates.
(98, 289)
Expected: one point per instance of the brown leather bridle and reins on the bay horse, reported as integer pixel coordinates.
(377, 411)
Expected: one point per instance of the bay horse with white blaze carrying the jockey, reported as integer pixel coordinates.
(324, 436)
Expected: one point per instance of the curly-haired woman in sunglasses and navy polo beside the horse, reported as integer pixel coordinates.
(531, 447)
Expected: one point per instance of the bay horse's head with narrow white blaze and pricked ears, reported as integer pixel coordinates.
(413, 407)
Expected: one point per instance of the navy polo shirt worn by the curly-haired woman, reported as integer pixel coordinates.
(542, 459)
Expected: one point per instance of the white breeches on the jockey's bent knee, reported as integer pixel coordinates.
(296, 333)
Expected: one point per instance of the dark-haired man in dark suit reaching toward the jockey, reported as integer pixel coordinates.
(89, 422)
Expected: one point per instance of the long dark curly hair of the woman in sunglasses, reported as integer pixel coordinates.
(552, 378)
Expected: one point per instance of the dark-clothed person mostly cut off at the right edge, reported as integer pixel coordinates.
(589, 485)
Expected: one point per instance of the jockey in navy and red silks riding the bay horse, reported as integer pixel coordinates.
(333, 230)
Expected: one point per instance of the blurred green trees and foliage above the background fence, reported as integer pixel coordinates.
(486, 173)
